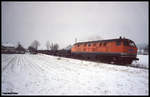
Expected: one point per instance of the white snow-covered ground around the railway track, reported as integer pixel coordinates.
(41, 74)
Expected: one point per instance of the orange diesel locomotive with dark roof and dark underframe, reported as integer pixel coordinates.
(121, 50)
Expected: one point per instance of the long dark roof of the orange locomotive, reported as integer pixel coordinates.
(104, 41)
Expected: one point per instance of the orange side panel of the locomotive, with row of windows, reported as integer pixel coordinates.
(105, 47)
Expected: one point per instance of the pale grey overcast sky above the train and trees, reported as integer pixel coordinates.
(62, 22)
